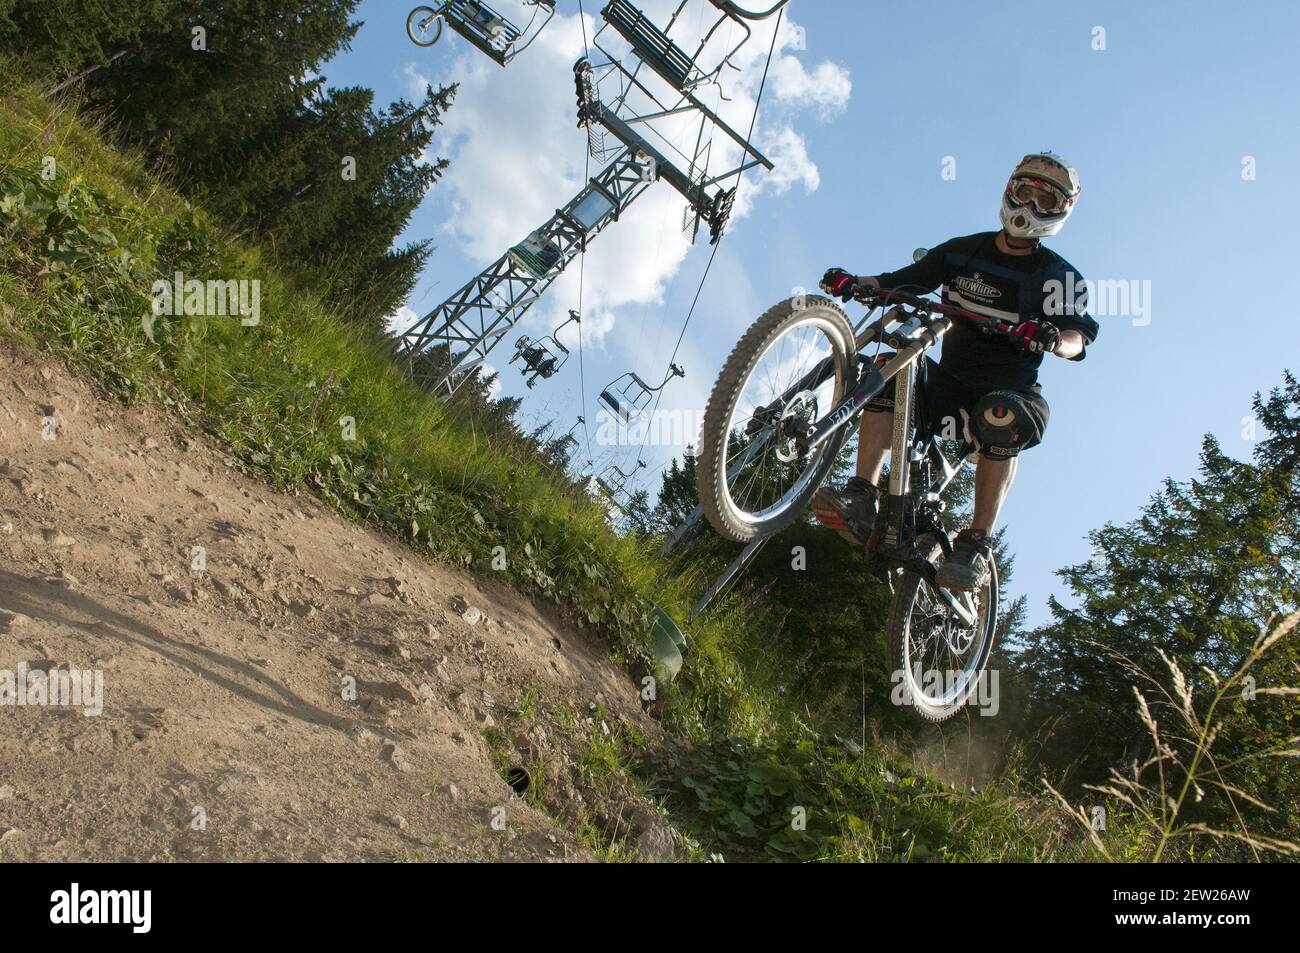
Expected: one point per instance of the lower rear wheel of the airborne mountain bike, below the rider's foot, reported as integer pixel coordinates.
(941, 664)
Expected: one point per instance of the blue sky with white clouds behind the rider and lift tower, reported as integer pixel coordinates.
(1162, 124)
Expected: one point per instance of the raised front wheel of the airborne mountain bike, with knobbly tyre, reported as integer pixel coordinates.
(788, 371)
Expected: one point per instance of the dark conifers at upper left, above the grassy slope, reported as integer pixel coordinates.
(228, 101)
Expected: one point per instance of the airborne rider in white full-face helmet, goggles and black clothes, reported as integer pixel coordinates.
(983, 387)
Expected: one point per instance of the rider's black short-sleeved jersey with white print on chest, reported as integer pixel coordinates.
(980, 278)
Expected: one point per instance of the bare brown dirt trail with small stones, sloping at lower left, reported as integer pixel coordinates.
(226, 733)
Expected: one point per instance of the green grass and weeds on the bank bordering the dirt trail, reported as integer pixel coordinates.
(81, 252)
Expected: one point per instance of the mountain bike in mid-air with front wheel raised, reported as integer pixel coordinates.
(777, 421)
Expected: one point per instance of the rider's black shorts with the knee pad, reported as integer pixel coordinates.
(1002, 422)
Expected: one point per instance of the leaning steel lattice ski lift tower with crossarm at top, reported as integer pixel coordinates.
(443, 349)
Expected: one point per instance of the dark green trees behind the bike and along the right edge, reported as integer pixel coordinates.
(1191, 583)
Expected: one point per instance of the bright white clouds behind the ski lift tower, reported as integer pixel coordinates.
(517, 154)
